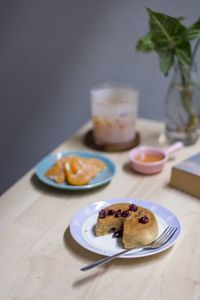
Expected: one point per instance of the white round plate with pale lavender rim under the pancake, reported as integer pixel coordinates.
(83, 223)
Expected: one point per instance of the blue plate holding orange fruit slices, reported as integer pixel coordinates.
(103, 177)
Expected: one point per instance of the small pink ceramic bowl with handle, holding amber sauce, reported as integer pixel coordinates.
(149, 159)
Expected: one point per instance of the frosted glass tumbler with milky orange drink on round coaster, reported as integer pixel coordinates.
(114, 114)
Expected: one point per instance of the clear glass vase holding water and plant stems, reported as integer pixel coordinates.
(182, 107)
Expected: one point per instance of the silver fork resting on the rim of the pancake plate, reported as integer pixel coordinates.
(160, 241)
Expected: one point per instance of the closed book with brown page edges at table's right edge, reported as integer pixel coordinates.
(186, 175)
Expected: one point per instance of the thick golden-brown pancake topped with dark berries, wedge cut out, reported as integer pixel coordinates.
(137, 224)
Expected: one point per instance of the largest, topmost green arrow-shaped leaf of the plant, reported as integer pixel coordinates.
(166, 35)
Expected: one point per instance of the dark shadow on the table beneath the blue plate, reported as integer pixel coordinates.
(55, 191)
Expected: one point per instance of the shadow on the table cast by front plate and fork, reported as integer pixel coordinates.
(122, 263)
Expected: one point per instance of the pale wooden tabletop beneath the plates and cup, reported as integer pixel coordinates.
(40, 260)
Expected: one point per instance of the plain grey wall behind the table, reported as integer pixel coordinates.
(52, 53)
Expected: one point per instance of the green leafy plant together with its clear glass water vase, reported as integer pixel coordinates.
(176, 46)
